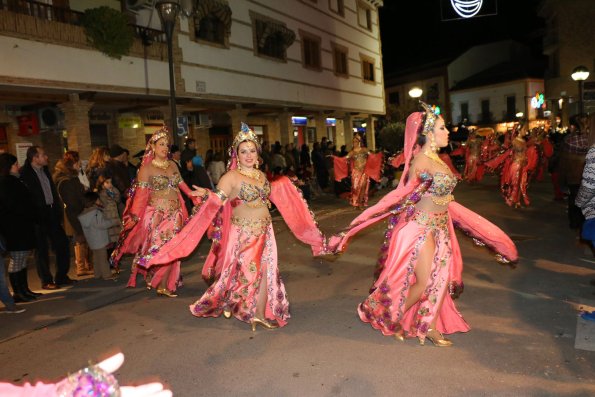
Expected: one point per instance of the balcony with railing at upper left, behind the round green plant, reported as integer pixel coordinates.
(44, 22)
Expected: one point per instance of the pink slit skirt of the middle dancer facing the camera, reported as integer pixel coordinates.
(251, 252)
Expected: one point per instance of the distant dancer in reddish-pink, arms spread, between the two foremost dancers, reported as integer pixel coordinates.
(364, 165)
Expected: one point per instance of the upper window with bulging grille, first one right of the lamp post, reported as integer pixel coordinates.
(212, 23)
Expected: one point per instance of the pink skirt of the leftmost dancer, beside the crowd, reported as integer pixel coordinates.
(163, 219)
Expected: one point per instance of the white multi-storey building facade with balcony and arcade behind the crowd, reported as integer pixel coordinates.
(272, 64)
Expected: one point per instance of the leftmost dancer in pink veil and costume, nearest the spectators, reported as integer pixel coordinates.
(154, 213)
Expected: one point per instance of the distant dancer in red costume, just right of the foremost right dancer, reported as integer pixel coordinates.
(514, 178)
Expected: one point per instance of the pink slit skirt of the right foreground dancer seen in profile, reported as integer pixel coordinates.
(384, 307)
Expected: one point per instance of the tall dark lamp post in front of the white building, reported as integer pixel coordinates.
(168, 13)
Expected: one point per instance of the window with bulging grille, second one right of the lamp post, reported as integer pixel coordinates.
(271, 38)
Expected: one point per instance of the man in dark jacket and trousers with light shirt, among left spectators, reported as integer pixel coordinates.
(36, 176)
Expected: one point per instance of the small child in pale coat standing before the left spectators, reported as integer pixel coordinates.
(95, 228)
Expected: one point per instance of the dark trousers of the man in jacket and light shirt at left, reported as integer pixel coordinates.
(51, 230)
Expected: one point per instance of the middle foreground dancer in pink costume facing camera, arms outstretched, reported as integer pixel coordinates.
(242, 263)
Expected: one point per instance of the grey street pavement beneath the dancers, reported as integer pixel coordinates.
(526, 338)
